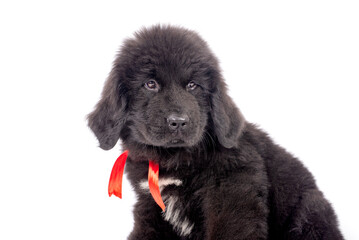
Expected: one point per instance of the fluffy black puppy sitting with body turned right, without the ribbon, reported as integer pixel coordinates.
(220, 176)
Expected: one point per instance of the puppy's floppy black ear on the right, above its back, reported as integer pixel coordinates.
(228, 120)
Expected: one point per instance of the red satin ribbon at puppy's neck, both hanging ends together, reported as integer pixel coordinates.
(115, 184)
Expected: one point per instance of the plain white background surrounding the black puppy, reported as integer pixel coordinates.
(291, 67)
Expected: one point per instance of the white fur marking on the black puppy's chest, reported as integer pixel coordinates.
(173, 213)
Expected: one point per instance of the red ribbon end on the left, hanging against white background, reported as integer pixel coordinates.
(115, 183)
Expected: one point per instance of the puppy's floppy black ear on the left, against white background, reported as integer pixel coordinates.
(108, 118)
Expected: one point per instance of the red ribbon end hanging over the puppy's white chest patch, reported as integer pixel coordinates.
(153, 172)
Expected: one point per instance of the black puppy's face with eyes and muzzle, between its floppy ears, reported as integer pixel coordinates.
(169, 100)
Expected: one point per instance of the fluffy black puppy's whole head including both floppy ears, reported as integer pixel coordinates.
(165, 90)
